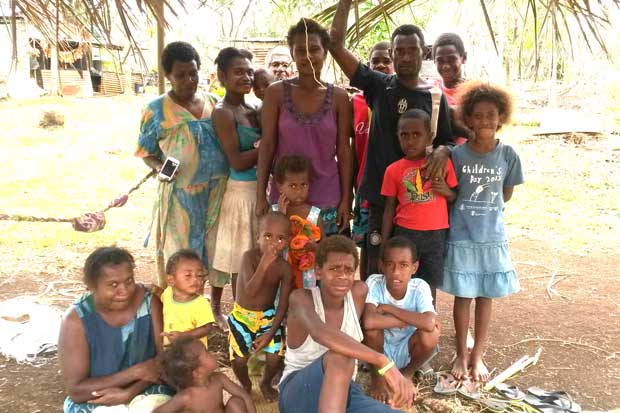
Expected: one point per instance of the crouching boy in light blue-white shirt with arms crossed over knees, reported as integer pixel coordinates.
(399, 317)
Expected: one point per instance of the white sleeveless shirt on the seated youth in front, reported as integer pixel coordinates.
(310, 350)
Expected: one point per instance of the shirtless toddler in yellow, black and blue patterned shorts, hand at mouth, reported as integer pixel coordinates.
(254, 322)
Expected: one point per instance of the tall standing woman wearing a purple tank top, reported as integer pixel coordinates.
(305, 116)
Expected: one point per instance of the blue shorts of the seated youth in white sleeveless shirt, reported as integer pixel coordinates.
(300, 392)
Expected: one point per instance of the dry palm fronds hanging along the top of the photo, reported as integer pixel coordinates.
(97, 18)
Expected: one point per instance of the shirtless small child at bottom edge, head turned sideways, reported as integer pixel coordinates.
(190, 368)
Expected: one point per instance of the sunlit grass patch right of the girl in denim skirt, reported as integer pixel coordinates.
(570, 196)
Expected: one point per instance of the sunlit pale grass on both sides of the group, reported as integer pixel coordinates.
(570, 197)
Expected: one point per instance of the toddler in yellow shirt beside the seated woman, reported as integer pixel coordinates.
(187, 313)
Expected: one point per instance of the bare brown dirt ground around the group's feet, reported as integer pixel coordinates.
(579, 332)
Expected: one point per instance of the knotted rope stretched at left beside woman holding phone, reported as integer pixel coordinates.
(89, 222)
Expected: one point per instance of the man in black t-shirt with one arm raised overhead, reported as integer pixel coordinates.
(388, 96)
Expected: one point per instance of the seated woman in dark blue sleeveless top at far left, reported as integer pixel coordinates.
(109, 337)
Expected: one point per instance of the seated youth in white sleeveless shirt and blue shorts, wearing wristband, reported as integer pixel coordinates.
(324, 341)
